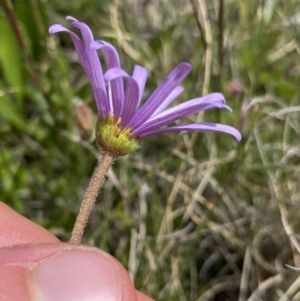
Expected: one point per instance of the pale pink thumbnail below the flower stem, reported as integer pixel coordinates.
(75, 274)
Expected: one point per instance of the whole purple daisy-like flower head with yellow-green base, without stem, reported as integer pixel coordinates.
(123, 121)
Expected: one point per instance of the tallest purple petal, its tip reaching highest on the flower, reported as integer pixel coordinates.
(96, 74)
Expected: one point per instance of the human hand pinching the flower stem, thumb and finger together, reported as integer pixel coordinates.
(36, 266)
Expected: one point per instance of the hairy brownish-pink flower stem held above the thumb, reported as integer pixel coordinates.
(89, 199)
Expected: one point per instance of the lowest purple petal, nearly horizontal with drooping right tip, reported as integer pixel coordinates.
(214, 127)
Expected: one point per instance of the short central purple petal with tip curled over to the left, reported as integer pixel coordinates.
(131, 94)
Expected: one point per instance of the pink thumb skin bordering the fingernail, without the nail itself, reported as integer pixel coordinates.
(17, 262)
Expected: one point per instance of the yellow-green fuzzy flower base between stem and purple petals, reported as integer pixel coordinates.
(113, 139)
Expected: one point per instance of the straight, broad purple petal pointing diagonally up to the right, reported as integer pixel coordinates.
(160, 94)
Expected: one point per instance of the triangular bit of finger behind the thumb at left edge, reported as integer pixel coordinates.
(16, 229)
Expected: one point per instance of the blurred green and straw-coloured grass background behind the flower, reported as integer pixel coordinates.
(191, 216)
